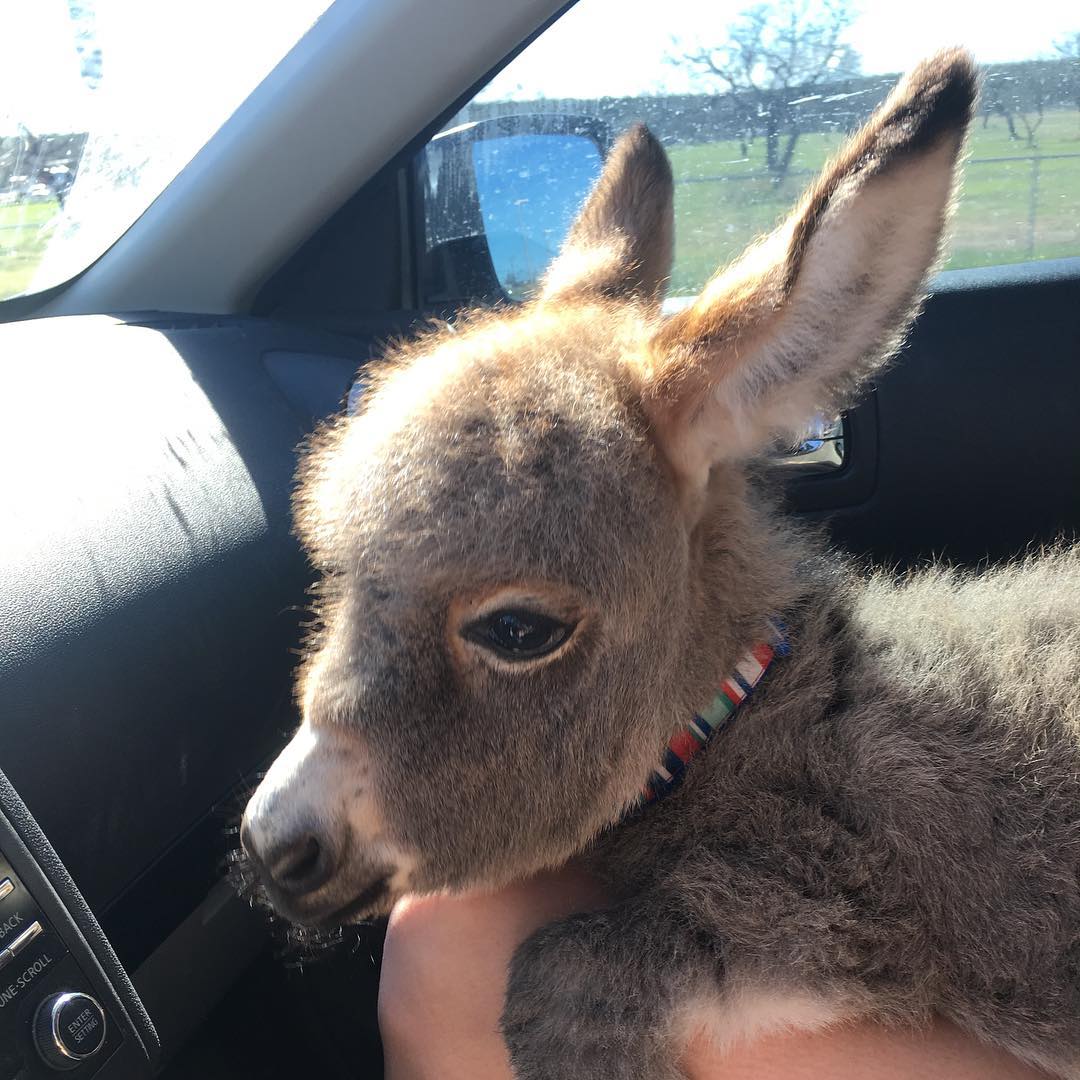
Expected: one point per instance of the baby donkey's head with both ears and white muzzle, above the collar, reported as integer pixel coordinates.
(538, 556)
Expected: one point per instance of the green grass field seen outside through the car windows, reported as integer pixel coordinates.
(1010, 211)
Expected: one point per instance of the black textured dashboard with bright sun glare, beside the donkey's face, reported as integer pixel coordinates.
(152, 600)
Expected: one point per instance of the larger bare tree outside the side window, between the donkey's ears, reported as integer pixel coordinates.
(772, 51)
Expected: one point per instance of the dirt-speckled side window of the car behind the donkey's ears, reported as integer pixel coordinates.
(750, 103)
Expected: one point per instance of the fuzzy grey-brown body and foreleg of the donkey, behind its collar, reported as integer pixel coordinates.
(890, 826)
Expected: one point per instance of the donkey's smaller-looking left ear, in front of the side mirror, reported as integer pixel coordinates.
(620, 246)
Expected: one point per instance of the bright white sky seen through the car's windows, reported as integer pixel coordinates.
(190, 63)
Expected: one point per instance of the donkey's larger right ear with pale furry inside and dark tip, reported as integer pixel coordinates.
(812, 310)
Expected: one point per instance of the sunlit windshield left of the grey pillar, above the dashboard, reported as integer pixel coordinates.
(104, 102)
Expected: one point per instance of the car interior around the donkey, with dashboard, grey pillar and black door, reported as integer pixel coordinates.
(154, 598)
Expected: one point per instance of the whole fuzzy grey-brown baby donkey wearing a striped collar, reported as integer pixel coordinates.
(550, 579)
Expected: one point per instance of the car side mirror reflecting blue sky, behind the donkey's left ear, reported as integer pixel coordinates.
(499, 198)
